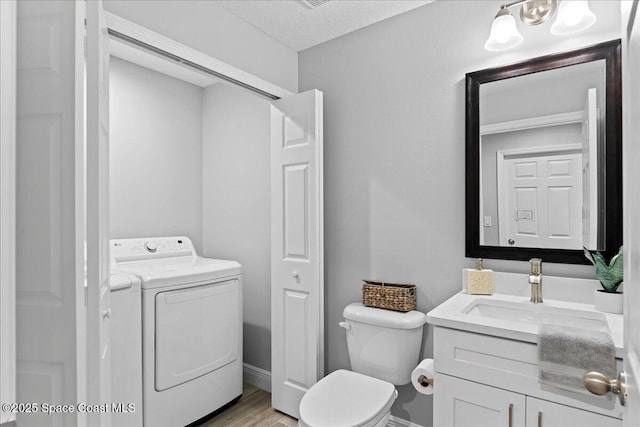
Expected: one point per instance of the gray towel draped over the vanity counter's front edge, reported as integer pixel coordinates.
(565, 354)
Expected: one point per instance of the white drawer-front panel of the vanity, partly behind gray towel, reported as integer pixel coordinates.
(508, 364)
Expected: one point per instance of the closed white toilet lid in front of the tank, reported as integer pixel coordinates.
(345, 398)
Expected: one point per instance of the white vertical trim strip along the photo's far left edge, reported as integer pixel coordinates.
(8, 206)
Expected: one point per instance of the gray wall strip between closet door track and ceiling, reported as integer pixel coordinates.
(213, 30)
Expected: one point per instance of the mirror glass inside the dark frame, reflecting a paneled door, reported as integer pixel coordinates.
(535, 115)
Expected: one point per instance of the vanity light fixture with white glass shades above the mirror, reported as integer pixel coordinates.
(573, 16)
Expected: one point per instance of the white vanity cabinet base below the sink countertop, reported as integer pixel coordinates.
(483, 380)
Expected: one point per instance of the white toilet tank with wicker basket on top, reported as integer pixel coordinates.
(383, 344)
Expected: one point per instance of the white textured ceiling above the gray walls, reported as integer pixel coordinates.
(298, 25)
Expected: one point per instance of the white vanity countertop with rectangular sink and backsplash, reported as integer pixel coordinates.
(509, 314)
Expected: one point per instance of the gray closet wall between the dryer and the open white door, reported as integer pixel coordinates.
(236, 203)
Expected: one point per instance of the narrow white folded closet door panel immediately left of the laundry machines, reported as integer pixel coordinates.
(97, 200)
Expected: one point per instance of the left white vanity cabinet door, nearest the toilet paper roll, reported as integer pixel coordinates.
(461, 403)
